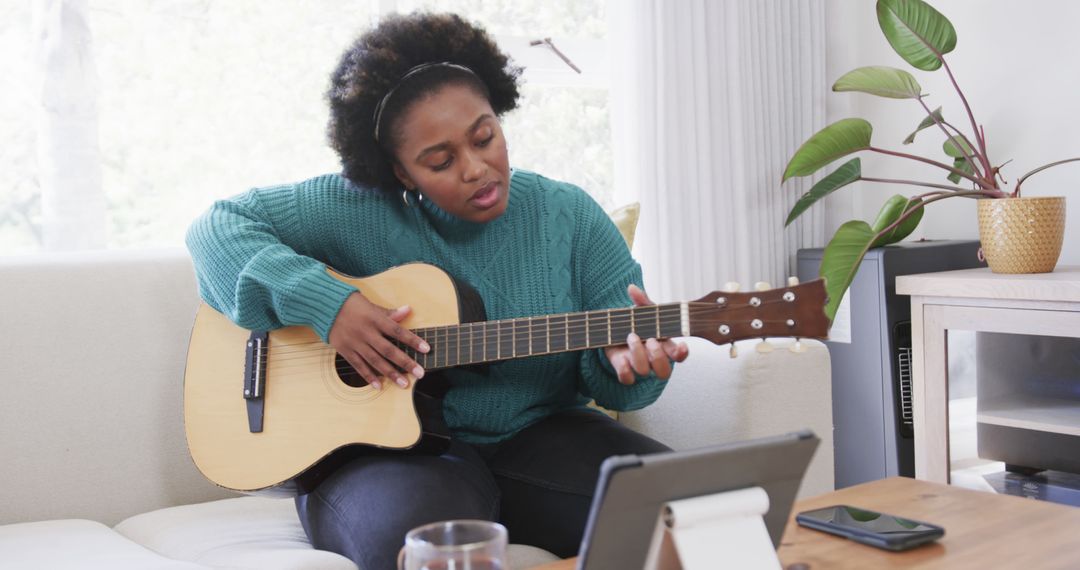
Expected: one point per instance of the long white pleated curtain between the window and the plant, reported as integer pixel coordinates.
(710, 99)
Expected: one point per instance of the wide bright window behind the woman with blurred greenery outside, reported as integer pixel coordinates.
(200, 100)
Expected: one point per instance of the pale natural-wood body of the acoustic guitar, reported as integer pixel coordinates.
(314, 420)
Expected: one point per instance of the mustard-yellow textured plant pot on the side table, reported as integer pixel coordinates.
(1022, 235)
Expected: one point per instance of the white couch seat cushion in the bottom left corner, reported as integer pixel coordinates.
(77, 545)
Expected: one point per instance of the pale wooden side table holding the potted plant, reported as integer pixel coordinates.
(977, 300)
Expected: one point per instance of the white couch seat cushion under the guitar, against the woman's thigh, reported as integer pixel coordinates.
(245, 533)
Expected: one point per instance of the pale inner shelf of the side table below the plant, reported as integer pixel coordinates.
(1032, 413)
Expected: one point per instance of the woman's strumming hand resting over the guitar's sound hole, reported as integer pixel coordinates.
(363, 333)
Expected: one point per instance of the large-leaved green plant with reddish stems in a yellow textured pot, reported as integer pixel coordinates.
(923, 36)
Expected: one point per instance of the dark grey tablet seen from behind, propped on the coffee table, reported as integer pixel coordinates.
(632, 491)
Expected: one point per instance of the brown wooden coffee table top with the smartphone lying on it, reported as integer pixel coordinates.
(983, 531)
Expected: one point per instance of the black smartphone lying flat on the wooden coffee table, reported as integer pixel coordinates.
(870, 527)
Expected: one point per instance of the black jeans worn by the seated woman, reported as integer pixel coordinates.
(539, 484)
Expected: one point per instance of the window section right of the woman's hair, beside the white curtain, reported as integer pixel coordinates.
(562, 127)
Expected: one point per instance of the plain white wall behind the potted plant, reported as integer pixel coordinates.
(1016, 62)
